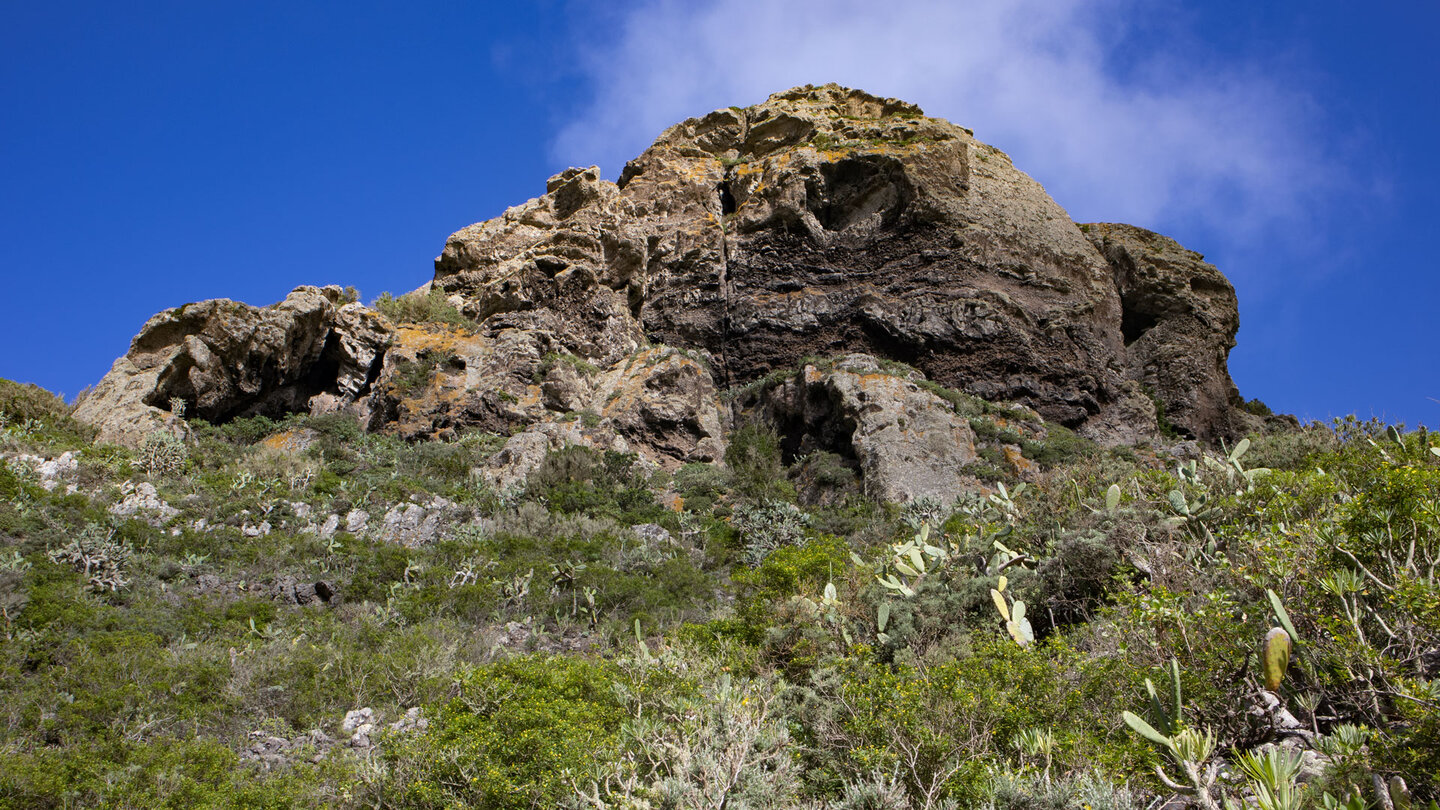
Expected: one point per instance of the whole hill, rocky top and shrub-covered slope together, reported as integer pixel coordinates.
(819, 463)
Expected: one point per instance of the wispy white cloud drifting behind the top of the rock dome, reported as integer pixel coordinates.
(1121, 123)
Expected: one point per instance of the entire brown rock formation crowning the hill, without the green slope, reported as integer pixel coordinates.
(657, 313)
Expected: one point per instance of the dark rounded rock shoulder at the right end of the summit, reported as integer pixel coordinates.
(1179, 321)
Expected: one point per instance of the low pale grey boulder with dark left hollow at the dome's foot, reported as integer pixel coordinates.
(904, 440)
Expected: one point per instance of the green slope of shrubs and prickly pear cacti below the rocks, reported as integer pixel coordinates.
(302, 615)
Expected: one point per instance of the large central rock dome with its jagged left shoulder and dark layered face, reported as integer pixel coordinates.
(822, 223)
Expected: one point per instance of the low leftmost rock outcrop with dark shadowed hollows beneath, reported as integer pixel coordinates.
(225, 360)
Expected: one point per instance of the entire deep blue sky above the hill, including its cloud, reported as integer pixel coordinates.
(175, 152)
